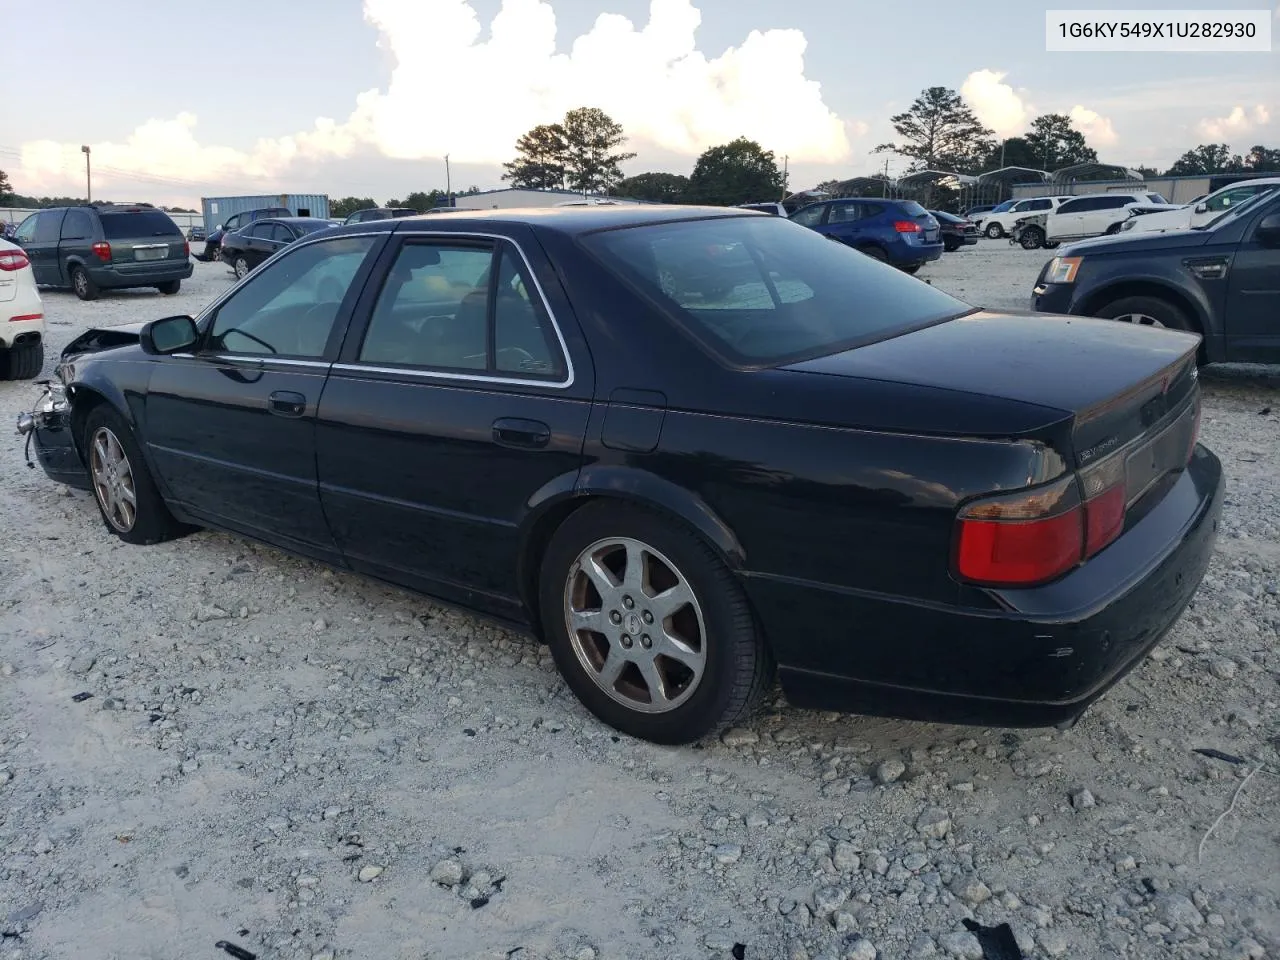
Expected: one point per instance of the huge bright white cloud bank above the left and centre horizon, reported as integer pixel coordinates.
(452, 93)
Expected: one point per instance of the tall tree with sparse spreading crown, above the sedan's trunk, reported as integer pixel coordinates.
(941, 132)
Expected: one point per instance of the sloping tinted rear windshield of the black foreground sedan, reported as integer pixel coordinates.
(765, 291)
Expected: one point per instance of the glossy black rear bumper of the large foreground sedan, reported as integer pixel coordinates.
(1040, 660)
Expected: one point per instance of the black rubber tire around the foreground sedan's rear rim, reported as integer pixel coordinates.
(738, 670)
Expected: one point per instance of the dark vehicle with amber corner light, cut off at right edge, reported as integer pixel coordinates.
(1222, 282)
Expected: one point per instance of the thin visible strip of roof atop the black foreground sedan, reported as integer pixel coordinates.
(563, 220)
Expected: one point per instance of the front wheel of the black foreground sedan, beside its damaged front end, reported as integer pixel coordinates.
(127, 497)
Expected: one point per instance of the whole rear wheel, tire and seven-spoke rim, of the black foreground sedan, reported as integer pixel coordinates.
(648, 627)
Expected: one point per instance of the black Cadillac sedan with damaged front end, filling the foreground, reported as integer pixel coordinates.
(904, 505)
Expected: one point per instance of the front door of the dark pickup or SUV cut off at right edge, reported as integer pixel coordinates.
(1252, 314)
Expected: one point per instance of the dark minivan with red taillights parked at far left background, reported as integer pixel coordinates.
(106, 246)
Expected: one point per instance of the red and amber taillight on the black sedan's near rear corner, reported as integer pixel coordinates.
(1022, 540)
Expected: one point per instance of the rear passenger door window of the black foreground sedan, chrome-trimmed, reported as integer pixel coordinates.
(444, 309)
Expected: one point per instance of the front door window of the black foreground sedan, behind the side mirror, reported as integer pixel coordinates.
(290, 308)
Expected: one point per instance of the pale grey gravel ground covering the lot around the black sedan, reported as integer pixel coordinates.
(211, 742)
